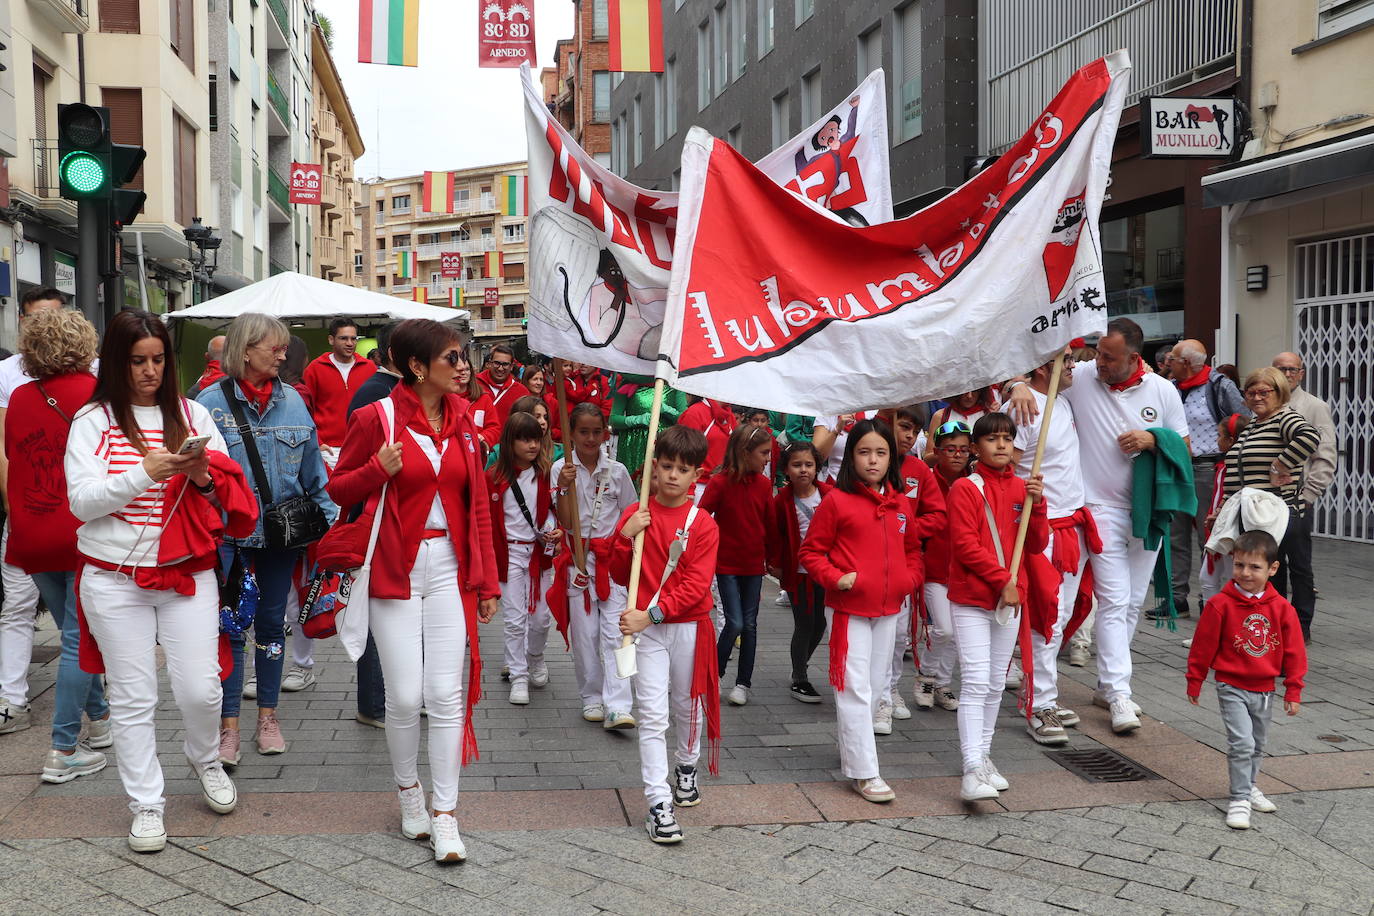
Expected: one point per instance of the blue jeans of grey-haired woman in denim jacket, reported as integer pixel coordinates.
(274, 571)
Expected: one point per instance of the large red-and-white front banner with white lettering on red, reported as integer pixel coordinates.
(991, 281)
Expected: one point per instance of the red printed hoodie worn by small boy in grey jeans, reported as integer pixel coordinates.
(1250, 642)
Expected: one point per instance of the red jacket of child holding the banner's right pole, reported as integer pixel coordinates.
(976, 577)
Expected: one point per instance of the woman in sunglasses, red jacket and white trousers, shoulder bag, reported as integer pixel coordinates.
(433, 573)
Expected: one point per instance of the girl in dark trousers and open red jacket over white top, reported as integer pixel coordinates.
(793, 509)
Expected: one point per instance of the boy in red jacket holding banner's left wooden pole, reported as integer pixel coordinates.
(677, 648)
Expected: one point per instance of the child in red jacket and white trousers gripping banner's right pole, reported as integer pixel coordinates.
(984, 517)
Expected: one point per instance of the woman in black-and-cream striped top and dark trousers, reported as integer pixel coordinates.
(1270, 455)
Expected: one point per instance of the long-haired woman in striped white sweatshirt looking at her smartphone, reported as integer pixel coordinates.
(150, 523)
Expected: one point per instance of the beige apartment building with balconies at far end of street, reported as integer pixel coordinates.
(394, 225)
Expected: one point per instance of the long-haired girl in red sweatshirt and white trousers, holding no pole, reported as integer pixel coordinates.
(865, 550)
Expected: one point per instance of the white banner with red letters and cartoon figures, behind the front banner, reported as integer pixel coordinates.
(601, 248)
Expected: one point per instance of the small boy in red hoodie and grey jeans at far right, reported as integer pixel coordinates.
(1248, 635)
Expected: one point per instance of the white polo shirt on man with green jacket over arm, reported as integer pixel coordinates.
(1103, 415)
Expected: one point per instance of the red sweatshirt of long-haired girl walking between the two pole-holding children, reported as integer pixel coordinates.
(873, 535)
